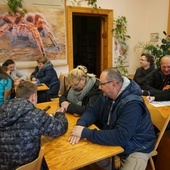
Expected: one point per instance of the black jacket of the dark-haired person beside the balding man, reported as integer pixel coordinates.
(141, 75)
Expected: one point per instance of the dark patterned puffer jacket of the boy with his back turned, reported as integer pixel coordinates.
(21, 127)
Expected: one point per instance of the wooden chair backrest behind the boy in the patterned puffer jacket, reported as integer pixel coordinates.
(34, 165)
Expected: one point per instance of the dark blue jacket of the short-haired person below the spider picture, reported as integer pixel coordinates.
(48, 76)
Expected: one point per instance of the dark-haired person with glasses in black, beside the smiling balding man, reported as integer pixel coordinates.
(147, 67)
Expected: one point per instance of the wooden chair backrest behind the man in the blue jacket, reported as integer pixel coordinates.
(160, 122)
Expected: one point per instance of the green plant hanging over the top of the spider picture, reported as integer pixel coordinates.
(15, 7)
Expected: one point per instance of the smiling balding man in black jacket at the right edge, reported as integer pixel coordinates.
(158, 84)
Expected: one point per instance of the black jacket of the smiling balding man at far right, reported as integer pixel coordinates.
(155, 84)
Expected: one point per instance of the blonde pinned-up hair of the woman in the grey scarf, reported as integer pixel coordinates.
(76, 74)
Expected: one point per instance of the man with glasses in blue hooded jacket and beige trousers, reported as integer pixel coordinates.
(123, 119)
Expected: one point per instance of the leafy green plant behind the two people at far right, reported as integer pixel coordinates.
(157, 50)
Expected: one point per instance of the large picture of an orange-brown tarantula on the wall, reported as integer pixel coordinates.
(41, 32)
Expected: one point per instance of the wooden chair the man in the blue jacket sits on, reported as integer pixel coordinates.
(160, 122)
